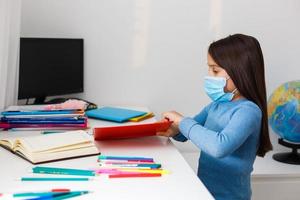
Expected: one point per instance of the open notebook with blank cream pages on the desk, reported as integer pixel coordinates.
(51, 147)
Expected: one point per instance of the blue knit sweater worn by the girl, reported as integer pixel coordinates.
(228, 135)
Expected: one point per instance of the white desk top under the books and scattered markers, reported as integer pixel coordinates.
(182, 183)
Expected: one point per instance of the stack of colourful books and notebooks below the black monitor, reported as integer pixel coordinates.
(44, 119)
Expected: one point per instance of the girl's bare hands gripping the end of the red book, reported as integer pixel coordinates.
(173, 130)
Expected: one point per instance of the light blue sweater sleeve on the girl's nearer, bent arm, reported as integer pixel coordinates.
(243, 123)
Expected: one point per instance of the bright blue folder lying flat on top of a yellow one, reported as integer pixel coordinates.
(114, 114)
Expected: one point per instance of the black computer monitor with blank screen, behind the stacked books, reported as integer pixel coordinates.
(50, 66)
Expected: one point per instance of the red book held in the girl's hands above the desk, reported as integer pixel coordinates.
(130, 131)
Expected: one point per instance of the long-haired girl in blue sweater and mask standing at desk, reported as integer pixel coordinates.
(233, 129)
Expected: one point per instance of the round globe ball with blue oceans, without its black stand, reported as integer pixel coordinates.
(284, 111)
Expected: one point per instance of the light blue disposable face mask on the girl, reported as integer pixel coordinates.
(214, 88)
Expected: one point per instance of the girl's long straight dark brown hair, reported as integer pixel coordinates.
(241, 56)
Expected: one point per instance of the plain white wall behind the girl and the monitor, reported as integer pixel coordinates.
(153, 53)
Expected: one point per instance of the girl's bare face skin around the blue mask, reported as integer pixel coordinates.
(215, 70)
